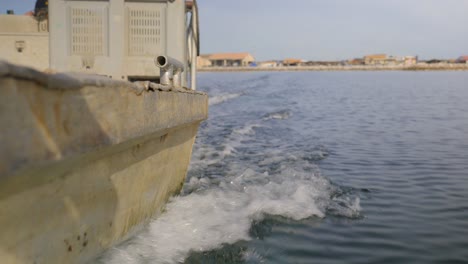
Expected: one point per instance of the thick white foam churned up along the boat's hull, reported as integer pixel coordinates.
(223, 213)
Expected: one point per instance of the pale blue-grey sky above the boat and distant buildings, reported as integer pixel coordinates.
(327, 29)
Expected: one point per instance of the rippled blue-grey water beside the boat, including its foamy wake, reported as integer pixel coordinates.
(321, 167)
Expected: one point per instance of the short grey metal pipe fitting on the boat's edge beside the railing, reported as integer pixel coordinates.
(170, 70)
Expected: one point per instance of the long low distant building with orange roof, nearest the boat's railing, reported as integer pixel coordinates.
(226, 59)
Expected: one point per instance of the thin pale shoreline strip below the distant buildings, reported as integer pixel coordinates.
(417, 67)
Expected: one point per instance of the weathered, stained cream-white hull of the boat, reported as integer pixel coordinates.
(83, 167)
